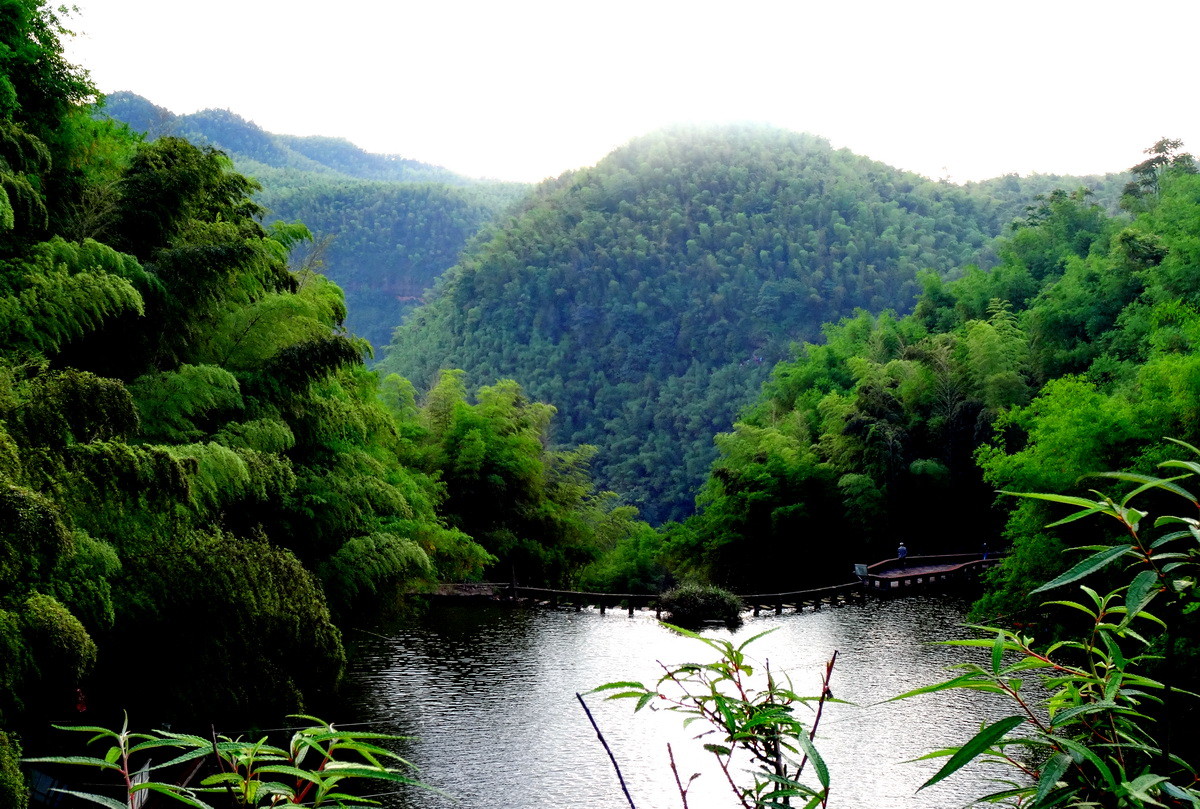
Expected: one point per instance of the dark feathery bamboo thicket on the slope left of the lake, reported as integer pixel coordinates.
(201, 483)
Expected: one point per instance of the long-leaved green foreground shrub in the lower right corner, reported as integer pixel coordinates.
(1107, 727)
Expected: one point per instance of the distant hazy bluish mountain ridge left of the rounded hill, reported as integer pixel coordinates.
(393, 225)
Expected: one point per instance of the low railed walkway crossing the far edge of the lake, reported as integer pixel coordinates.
(889, 578)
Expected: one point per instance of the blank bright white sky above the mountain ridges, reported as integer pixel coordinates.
(529, 89)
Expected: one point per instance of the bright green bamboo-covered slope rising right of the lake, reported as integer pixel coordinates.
(1076, 355)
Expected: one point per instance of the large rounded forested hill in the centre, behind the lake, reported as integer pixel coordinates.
(649, 297)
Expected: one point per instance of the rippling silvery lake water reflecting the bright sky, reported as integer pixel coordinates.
(488, 696)
